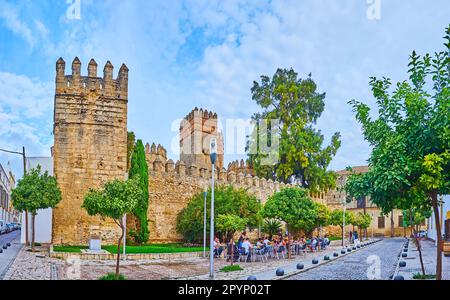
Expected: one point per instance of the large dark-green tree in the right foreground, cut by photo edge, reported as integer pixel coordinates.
(410, 137)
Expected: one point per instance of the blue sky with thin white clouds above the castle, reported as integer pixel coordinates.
(183, 54)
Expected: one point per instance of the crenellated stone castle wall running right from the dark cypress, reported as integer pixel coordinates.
(172, 185)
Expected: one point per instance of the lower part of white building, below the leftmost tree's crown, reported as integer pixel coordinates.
(43, 223)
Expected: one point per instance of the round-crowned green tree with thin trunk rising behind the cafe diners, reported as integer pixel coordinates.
(294, 207)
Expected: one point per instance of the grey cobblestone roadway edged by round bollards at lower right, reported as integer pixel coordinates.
(378, 260)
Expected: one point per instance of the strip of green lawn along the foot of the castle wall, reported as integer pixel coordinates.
(154, 248)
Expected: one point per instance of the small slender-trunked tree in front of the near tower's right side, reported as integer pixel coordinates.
(114, 200)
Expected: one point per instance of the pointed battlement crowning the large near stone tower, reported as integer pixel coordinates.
(107, 86)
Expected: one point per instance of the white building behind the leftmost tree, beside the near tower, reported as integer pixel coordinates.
(43, 220)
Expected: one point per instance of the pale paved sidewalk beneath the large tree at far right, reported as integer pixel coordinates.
(429, 260)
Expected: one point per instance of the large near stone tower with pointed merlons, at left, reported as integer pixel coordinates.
(90, 146)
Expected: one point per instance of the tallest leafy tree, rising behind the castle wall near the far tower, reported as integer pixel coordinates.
(297, 105)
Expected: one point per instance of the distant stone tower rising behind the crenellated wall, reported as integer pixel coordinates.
(196, 131)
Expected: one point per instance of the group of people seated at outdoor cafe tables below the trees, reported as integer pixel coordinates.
(272, 247)
